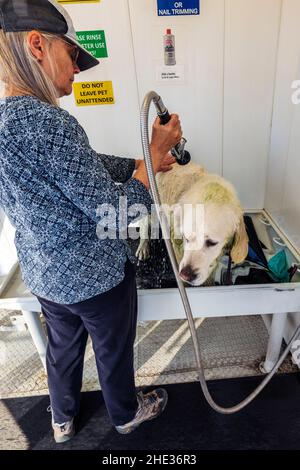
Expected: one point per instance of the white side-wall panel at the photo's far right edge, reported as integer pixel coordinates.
(282, 198)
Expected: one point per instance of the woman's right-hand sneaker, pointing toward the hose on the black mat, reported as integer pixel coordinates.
(150, 405)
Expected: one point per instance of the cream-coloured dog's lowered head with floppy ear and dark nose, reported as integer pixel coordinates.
(203, 231)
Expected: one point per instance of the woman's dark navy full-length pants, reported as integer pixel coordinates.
(110, 319)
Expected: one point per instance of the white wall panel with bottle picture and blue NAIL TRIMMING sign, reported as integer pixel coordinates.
(199, 49)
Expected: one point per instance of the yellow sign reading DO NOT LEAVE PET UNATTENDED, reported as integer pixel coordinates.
(93, 93)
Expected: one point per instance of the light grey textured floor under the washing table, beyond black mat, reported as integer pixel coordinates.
(231, 347)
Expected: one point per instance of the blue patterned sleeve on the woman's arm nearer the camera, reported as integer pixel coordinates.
(83, 177)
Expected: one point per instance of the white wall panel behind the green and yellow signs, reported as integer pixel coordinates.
(112, 129)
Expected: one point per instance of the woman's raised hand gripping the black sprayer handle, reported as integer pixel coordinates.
(164, 138)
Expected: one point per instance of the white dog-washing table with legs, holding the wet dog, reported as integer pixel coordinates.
(276, 300)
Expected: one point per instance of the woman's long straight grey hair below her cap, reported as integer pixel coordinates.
(20, 70)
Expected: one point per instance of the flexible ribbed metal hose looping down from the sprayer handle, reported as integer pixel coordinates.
(155, 98)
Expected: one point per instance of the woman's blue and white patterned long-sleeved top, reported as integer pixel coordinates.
(51, 184)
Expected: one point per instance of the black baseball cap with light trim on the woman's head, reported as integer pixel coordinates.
(47, 16)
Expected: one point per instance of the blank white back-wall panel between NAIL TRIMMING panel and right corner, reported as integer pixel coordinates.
(251, 39)
